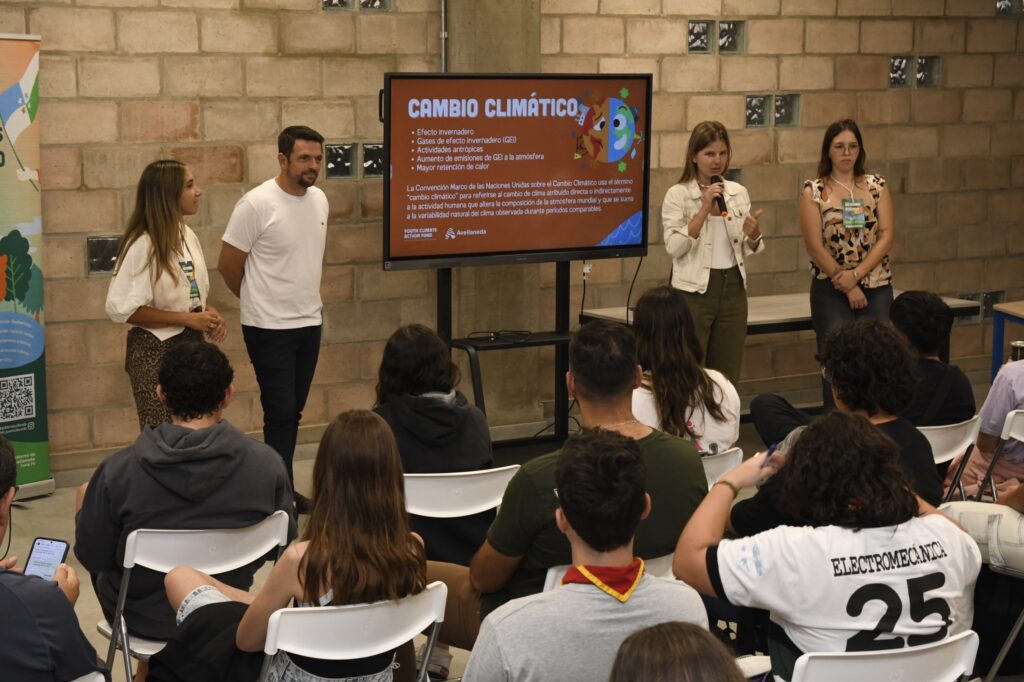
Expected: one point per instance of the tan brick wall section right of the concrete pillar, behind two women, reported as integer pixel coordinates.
(954, 154)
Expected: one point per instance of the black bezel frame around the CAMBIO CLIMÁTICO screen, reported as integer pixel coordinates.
(520, 257)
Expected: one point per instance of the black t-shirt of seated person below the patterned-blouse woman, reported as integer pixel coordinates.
(956, 404)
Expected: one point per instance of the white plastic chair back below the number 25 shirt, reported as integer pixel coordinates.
(938, 662)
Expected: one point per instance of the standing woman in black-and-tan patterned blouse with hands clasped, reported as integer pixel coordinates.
(846, 218)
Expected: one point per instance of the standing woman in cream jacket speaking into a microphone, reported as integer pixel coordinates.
(709, 230)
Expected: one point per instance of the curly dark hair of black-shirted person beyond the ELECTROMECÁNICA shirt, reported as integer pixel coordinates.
(871, 366)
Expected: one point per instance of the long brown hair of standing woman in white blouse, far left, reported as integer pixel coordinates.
(158, 215)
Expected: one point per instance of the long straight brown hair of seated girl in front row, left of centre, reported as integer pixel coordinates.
(360, 543)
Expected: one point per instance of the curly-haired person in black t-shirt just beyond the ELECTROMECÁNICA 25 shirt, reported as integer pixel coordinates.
(871, 369)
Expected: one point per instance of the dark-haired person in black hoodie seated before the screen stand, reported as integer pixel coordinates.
(437, 430)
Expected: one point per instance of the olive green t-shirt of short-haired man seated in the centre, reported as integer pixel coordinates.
(526, 523)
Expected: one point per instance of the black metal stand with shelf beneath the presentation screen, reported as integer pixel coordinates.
(560, 338)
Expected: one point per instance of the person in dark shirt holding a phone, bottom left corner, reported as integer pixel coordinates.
(40, 640)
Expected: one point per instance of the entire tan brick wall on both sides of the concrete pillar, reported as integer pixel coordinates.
(212, 81)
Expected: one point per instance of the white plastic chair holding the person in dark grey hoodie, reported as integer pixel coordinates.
(215, 551)
